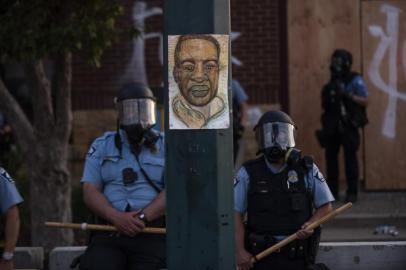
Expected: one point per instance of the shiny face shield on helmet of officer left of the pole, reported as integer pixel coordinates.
(137, 111)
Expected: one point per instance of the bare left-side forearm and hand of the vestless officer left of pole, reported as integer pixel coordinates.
(99, 205)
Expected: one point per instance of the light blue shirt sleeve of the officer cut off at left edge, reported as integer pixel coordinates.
(9, 195)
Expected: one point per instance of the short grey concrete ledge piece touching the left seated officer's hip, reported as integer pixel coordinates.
(60, 258)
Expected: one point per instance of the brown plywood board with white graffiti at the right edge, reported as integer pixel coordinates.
(384, 62)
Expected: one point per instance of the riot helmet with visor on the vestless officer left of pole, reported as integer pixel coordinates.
(136, 107)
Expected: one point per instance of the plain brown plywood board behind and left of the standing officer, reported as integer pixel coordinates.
(315, 29)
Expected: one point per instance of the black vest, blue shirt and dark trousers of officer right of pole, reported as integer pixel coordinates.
(277, 205)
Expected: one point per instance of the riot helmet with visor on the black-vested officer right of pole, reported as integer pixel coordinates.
(274, 134)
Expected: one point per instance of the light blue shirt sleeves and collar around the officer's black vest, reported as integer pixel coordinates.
(314, 181)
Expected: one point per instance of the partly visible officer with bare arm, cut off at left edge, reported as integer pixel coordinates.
(9, 199)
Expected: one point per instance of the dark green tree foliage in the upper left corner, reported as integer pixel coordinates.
(34, 29)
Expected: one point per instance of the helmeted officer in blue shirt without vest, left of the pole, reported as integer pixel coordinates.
(123, 184)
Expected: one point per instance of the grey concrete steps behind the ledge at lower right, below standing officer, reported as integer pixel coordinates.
(371, 210)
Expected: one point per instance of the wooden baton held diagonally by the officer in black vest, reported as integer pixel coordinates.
(293, 237)
